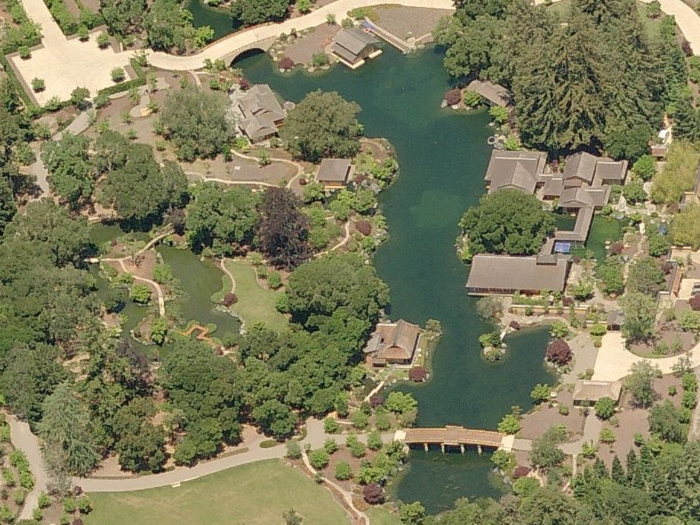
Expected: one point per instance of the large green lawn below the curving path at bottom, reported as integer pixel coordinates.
(254, 494)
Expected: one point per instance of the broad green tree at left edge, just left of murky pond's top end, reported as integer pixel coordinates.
(48, 225)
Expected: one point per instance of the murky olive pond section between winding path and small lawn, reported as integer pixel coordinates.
(199, 280)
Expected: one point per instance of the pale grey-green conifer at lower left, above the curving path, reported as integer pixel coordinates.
(65, 429)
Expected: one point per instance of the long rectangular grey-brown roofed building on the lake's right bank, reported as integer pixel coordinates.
(505, 274)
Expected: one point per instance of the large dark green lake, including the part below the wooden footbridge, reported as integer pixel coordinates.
(443, 156)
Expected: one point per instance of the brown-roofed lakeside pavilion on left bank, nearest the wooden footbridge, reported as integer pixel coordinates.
(393, 343)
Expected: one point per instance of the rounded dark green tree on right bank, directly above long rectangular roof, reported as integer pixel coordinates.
(507, 221)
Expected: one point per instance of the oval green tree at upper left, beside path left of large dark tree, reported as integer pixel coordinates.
(71, 174)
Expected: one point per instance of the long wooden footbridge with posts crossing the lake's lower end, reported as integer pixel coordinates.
(453, 436)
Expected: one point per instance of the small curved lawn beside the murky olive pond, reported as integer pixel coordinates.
(255, 304)
